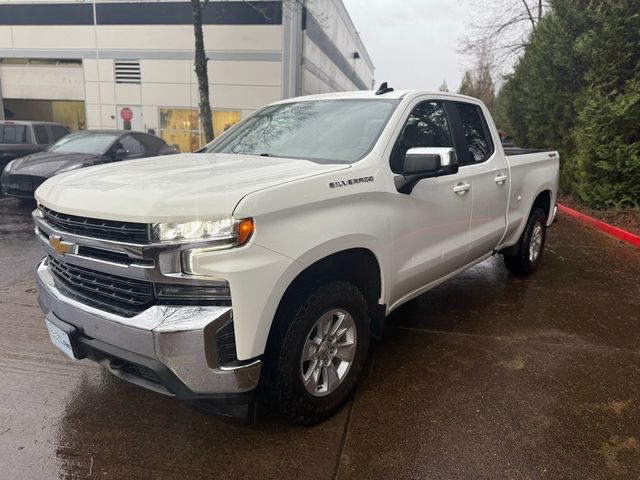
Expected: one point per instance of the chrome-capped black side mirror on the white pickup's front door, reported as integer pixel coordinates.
(425, 162)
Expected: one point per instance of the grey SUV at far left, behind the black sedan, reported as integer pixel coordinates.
(20, 138)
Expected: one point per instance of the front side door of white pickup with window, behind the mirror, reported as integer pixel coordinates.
(430, 226)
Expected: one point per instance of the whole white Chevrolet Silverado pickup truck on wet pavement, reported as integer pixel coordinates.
(267, 262)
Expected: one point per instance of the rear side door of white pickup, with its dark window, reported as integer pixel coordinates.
(485, 166)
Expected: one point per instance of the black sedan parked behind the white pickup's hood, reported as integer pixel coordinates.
(22, 176)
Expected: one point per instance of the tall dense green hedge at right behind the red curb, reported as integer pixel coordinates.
(577, 89)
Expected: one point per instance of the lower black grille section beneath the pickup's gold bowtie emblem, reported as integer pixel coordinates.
(121, 295)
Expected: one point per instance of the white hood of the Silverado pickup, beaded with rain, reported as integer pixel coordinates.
(171, 188)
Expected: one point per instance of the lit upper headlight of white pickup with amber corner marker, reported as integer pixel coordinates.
(227, 231)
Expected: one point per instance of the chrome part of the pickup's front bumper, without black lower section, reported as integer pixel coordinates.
(181, 338)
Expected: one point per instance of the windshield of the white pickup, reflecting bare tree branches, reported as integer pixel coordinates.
(327, 131)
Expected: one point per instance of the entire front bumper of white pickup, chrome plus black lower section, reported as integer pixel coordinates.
(168, 349)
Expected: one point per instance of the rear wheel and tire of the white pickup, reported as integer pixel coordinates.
(530, 246)
